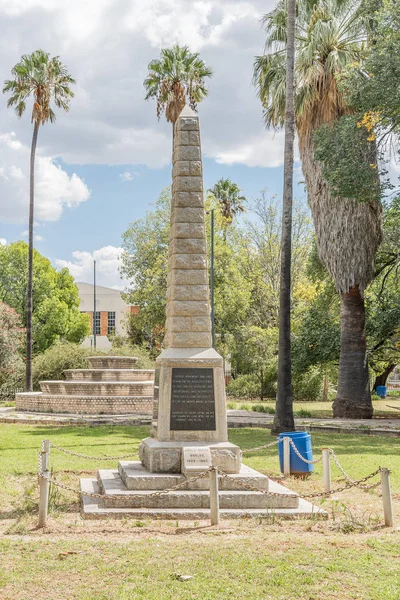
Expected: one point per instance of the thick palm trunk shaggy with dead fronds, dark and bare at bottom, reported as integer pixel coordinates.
(348, 235)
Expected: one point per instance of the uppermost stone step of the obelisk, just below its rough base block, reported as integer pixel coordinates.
(136, 477)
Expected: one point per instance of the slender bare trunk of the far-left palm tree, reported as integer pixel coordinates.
(28, 371)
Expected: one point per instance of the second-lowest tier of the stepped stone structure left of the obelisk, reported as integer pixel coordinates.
(100, 388)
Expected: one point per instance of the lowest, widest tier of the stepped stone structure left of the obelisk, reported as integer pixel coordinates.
(120, 405)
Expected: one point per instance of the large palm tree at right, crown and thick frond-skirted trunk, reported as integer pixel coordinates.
(330, 35)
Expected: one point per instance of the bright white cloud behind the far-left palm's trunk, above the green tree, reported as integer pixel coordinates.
(55, 190)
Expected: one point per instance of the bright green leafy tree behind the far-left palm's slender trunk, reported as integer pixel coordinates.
(56, 300)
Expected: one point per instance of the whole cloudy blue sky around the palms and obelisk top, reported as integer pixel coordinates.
(103, 164)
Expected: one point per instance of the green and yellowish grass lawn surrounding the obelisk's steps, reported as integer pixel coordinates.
(348, 556)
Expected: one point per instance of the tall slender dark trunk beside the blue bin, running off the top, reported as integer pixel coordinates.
(284, 420)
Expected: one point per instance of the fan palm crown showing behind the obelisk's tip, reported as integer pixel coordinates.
(178, 76)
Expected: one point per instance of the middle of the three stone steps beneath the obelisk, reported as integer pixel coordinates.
(111, 484)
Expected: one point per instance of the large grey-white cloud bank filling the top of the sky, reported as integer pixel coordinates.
(109, 121)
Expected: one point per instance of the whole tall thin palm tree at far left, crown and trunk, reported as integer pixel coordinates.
(45, 79)
